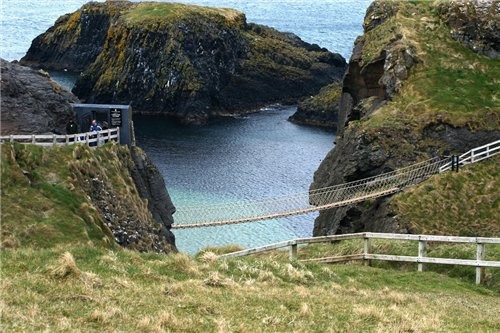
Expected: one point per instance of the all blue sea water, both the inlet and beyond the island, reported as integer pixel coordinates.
(253, 157)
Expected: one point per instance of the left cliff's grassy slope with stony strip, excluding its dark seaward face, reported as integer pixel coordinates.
(57, 196)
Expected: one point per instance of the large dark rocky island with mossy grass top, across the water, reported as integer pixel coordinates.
(188, 62)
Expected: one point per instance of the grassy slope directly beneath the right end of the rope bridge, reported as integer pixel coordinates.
(464, 203)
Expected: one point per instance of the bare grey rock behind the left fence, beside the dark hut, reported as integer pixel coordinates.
(32, 103)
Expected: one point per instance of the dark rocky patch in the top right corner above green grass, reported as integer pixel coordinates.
(474, 23)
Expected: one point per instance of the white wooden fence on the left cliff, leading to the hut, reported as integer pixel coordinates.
(88, 138)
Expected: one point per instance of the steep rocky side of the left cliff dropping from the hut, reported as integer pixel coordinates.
(126, 193)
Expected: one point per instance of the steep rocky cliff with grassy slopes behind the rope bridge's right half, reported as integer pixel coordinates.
(410, 93)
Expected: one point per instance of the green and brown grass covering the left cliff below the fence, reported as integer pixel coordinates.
(45, 194)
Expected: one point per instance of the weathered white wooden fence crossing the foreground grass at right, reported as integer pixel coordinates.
(421, 258)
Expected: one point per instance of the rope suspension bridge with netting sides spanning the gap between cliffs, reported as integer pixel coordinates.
(197, 216)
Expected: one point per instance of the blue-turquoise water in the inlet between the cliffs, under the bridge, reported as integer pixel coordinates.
(257, 156)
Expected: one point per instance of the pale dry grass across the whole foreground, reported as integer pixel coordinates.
(94, 289)
